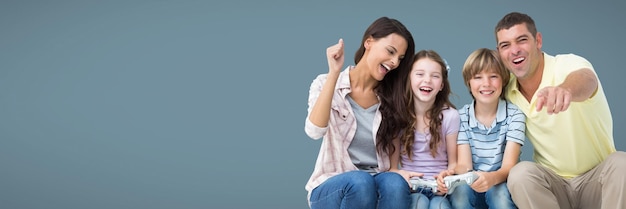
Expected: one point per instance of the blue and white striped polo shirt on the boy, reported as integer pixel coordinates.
(487, 144)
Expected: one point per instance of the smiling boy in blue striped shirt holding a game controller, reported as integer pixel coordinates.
(491, 134)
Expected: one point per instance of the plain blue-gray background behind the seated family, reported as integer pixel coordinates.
(201, 104)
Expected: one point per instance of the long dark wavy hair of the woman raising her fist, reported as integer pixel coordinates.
(391, 100)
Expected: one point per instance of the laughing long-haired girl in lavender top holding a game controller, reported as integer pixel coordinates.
(427, 145)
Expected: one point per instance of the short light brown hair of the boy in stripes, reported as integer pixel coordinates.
(485, 59)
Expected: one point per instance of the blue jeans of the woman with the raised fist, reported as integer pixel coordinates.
(358, 189)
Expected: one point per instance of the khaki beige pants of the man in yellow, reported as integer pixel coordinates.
(533, 186)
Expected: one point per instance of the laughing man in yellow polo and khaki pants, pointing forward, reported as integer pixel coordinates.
(568, 122)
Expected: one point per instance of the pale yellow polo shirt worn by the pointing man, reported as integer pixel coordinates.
(571, 142)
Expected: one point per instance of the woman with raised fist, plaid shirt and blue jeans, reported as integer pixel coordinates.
(353, 110)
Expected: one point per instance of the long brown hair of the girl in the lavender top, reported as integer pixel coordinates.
(433, 114)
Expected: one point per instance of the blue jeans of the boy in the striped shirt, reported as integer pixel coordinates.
(498, 196)
